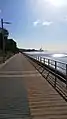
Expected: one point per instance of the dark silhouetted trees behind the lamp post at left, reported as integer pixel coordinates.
(8, 44)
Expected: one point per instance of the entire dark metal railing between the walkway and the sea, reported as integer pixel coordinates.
(55, 72)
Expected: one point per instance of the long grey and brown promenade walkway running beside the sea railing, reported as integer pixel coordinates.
(25, 94)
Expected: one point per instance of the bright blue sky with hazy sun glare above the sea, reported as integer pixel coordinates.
(36, 23)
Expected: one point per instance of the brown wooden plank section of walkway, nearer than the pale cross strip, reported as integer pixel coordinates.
(44, 101)
